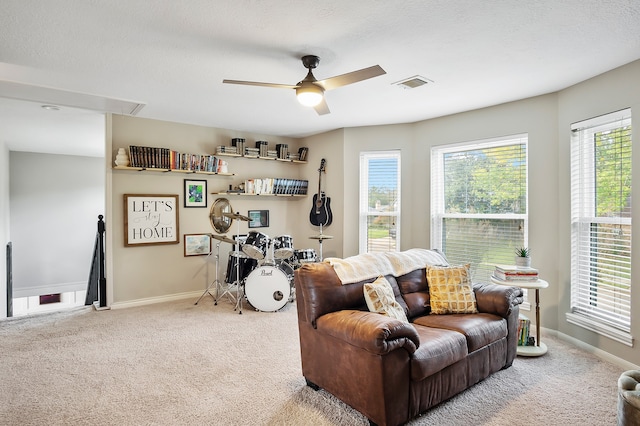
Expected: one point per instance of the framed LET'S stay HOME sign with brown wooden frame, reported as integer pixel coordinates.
(150, 219)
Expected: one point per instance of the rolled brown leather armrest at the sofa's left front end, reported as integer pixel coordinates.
(373, 332)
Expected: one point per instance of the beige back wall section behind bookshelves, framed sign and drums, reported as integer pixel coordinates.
(160, 271)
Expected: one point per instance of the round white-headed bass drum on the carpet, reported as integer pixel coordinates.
(267, 288)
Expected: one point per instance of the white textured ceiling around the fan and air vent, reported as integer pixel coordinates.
(173, 55)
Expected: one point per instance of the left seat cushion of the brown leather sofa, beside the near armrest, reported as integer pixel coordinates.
(439, 348)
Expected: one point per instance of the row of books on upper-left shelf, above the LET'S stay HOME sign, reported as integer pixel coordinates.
(165, 158)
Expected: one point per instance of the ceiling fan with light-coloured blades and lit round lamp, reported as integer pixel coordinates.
(309, 91)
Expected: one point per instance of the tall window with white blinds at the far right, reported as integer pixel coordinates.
(601, 224)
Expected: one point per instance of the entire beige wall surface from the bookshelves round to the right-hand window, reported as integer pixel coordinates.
(156, 272)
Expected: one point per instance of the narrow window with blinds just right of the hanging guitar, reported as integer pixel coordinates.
(379, 201)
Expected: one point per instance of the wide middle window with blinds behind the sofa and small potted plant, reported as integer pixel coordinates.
(479, 202)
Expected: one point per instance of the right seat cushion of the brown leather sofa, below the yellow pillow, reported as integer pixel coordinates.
(479, 329)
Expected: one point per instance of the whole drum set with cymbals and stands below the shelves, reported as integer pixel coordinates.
(261, 269)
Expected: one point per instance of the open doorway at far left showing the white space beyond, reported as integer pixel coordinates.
(56, 192)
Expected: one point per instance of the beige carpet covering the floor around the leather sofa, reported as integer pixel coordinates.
(180, 364)
